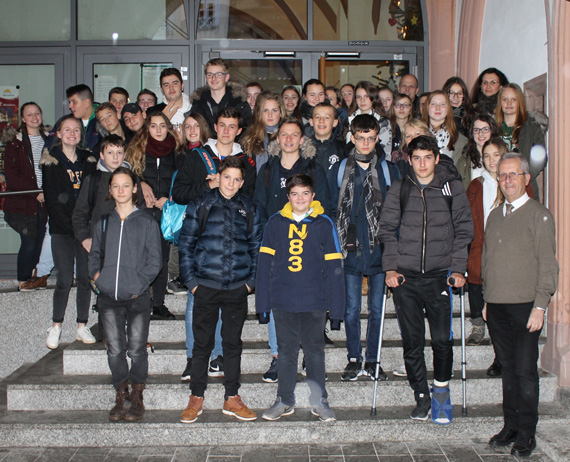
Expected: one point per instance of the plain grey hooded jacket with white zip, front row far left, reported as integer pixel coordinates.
(132, 255)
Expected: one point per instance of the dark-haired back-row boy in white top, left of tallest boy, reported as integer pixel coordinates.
(176, 102)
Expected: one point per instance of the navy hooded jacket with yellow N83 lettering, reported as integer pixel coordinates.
(300, 265)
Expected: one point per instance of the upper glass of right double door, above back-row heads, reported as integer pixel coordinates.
(381, 73)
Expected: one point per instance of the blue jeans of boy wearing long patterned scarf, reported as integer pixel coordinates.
(352, 316)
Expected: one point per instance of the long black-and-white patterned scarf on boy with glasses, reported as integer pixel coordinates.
(372, 200)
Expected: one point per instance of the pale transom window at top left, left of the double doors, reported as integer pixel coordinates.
(131, 20)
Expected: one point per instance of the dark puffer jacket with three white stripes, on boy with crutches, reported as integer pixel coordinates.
(431, 239)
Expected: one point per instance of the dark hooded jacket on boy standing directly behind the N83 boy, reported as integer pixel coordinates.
(269, 197)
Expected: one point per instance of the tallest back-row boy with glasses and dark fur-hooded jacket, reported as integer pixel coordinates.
(219, 93)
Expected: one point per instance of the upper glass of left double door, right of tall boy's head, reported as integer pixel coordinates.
(272, 74)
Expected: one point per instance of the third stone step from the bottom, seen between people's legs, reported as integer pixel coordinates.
(170, 358)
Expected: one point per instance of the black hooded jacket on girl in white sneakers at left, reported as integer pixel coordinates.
(59, 190)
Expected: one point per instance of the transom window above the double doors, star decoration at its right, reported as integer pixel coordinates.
(368, 20)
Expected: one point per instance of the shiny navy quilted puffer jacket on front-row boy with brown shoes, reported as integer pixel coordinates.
(223, 255)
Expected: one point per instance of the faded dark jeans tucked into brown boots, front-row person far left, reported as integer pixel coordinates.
(126, 326)
